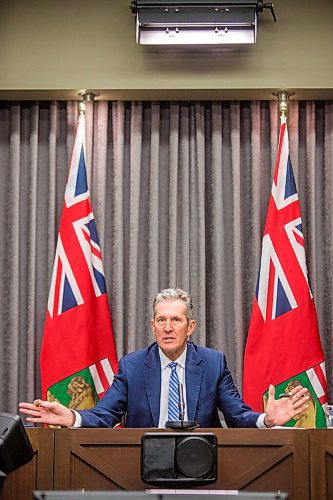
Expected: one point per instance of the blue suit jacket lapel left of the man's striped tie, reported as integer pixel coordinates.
(152, 378)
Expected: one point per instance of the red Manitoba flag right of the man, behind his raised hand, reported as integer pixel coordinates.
(283, 345)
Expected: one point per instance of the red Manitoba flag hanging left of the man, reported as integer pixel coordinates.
(78, 355)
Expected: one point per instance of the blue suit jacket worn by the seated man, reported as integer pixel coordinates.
(137, 386)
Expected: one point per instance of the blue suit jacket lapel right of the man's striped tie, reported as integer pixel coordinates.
(193, 378)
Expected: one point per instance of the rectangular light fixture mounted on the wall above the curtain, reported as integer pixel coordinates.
(197, 22)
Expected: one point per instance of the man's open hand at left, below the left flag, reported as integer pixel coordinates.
(50, 413)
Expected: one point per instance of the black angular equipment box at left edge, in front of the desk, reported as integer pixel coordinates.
(15, 447)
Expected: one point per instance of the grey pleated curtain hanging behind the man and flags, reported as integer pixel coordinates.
(180, 192)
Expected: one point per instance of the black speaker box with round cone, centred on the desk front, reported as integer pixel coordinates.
(178, 460)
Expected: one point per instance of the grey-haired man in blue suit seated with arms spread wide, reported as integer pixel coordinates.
(139, 394)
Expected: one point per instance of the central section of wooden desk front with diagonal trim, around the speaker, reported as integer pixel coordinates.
(248, 459)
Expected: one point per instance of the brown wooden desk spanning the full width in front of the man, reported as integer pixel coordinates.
(299, 462)
